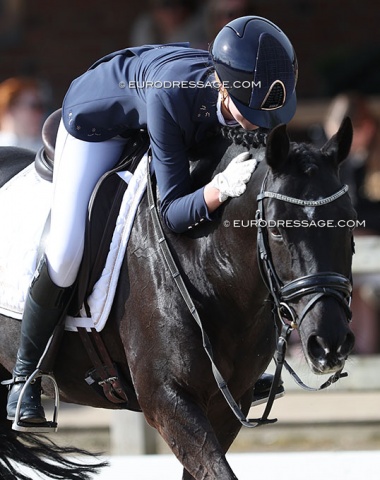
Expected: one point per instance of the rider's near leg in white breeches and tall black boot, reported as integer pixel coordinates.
(78, 166)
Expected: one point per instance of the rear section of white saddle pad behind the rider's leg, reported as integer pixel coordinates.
(24, 206)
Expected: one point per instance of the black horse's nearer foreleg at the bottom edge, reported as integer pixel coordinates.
(184, 426)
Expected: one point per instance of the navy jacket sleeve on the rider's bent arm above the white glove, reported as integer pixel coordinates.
(180, 206)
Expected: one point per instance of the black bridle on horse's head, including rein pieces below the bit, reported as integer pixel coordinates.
(319, 285)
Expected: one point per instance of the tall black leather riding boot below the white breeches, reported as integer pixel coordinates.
(45, 304)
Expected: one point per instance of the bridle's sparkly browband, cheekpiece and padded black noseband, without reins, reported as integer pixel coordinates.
(320, 284)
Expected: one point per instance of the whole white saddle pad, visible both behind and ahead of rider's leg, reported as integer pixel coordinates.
(24, 206)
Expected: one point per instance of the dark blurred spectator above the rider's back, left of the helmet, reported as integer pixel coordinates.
(163, 23)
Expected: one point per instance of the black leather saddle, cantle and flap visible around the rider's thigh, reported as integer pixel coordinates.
(103, 208)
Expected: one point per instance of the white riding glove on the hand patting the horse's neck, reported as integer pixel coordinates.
(232, 181)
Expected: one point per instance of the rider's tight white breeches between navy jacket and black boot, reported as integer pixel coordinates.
(78, 165)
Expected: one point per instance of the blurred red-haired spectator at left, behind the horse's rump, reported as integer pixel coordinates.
(23, 110)
